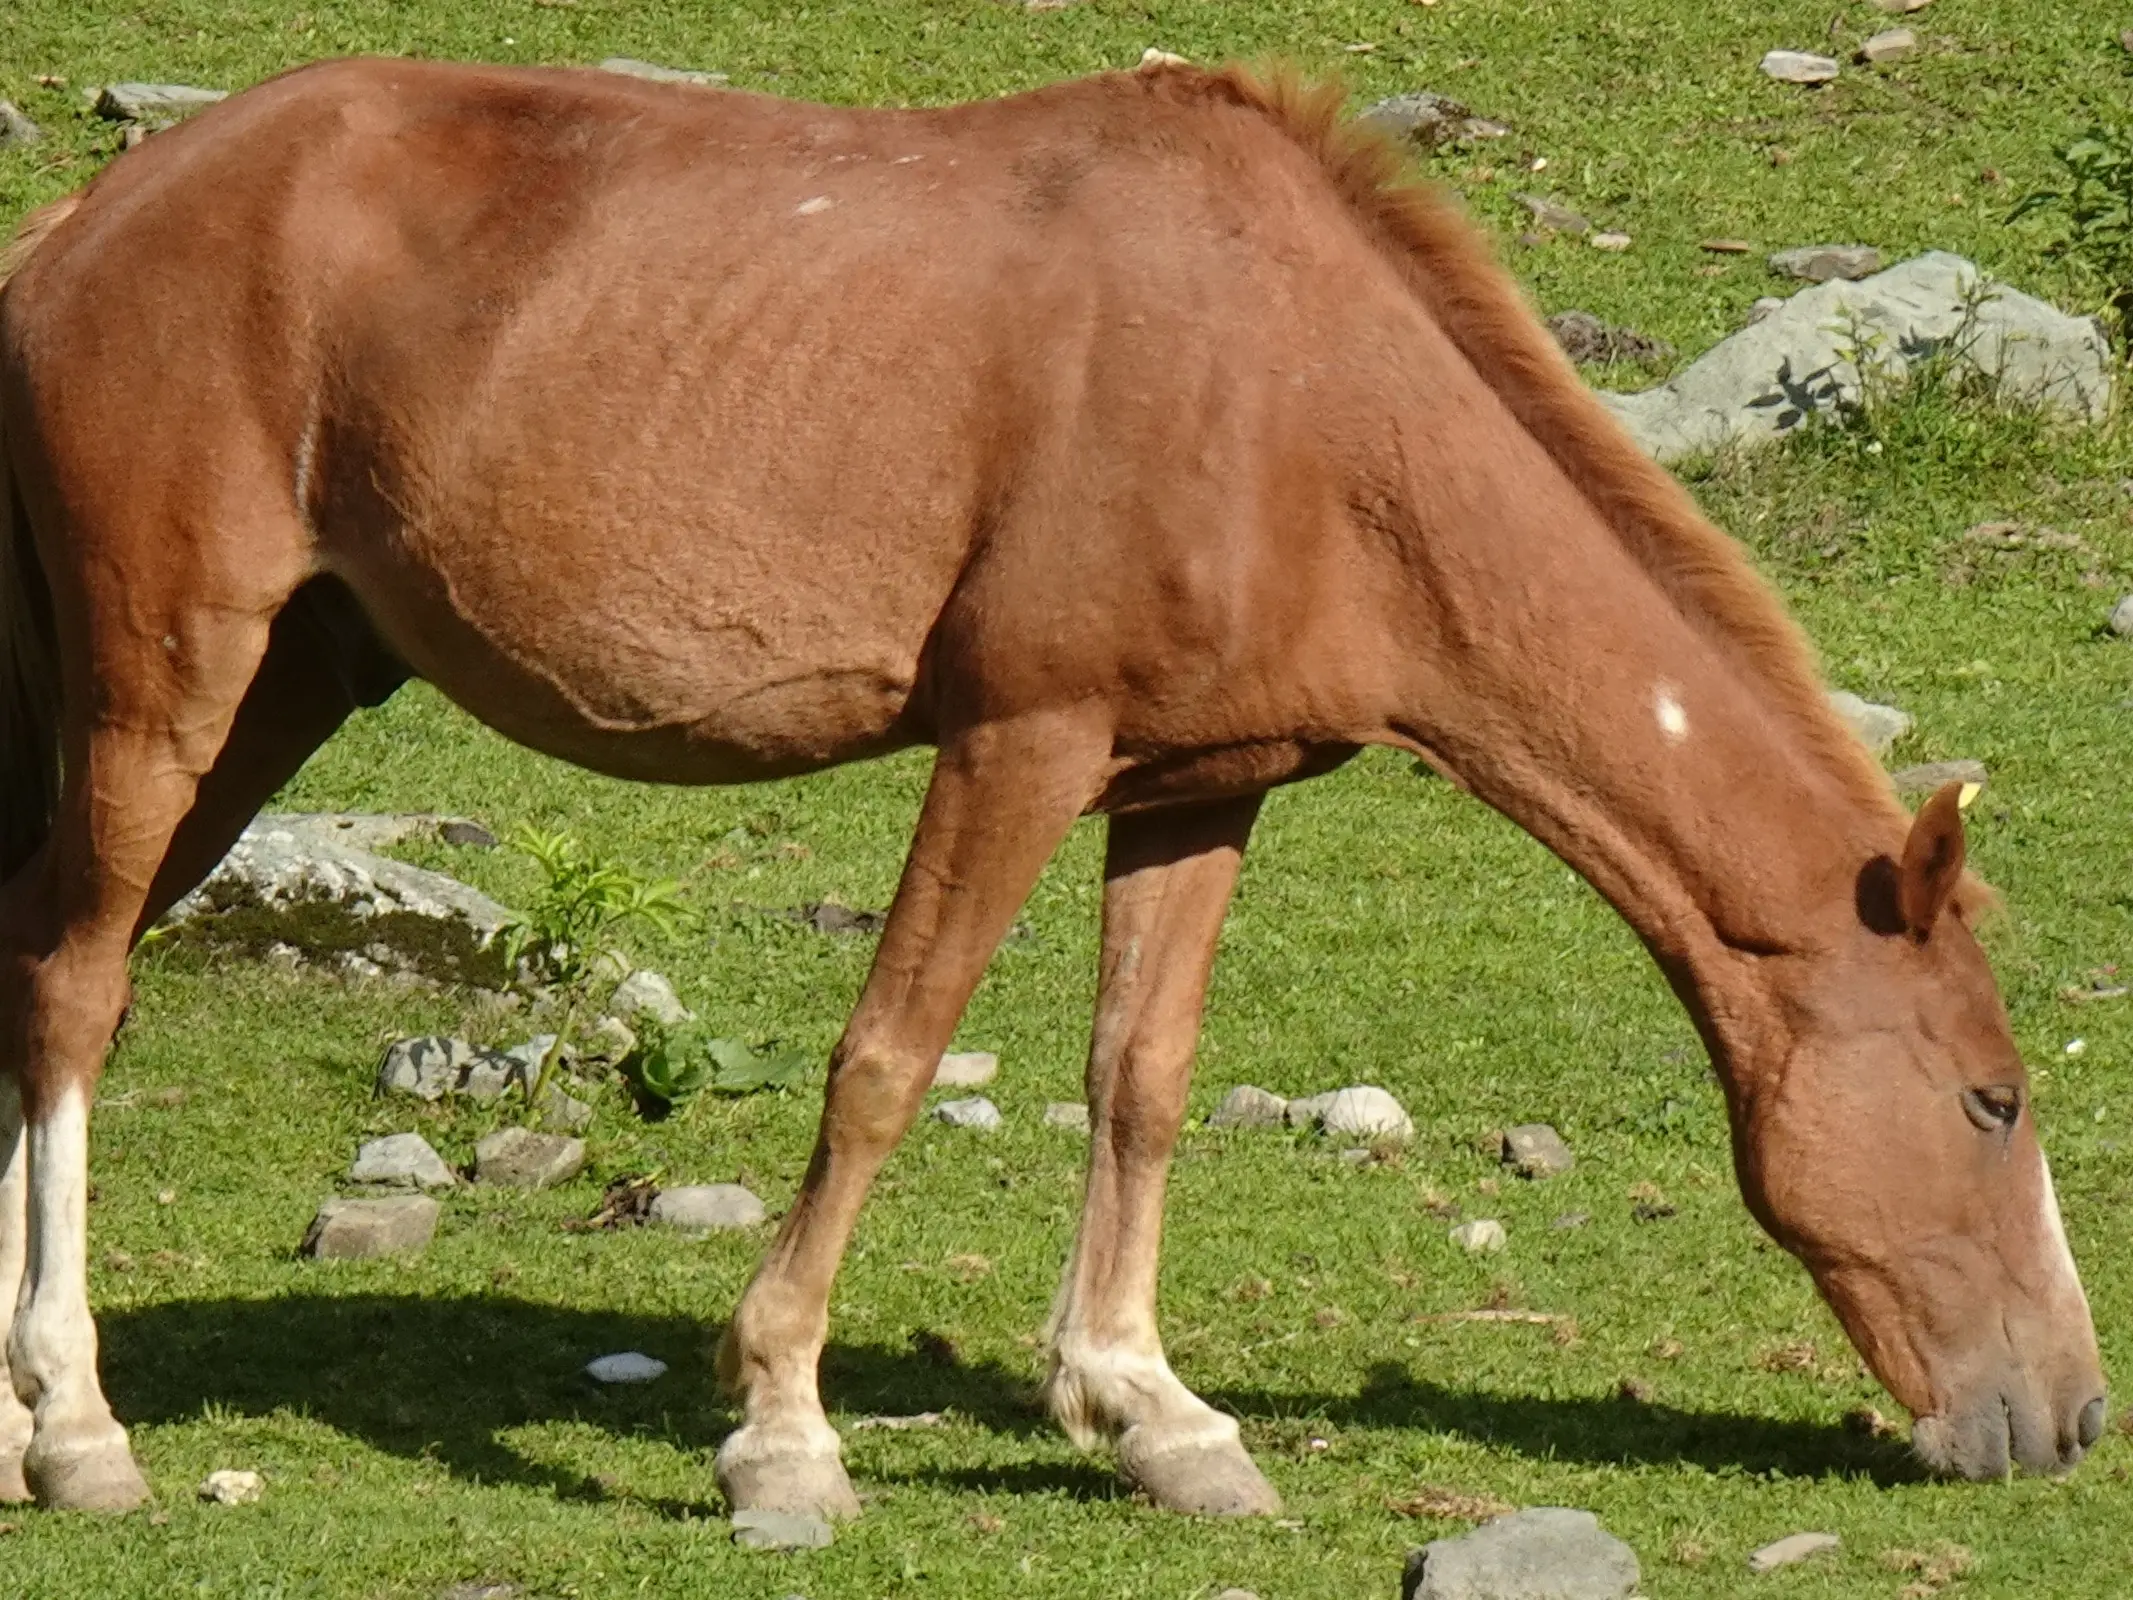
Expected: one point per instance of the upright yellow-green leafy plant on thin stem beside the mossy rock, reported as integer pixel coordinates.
(571, 923)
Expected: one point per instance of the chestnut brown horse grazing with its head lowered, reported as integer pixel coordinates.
(1140, 445)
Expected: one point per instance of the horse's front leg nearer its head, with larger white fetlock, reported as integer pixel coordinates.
(1168, 882)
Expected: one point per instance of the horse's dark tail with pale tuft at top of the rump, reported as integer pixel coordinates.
(29, 641)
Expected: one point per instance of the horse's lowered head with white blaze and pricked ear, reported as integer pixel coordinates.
(1895, 1153)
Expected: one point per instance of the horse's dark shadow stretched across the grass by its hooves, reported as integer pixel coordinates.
(449, 1379)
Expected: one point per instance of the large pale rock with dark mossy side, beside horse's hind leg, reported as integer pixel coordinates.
(312, 882)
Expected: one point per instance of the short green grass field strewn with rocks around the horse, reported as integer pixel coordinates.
(423, 1424)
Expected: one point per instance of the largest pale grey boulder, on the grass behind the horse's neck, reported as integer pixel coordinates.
(1769, 379)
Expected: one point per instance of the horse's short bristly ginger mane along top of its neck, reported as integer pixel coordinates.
(1481, 310)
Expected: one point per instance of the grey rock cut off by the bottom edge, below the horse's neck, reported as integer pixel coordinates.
(1541, 1554)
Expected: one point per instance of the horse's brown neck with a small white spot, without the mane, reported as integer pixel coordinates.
(1560, 684)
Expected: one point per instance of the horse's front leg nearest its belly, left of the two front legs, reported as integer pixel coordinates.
(1001, 799)
